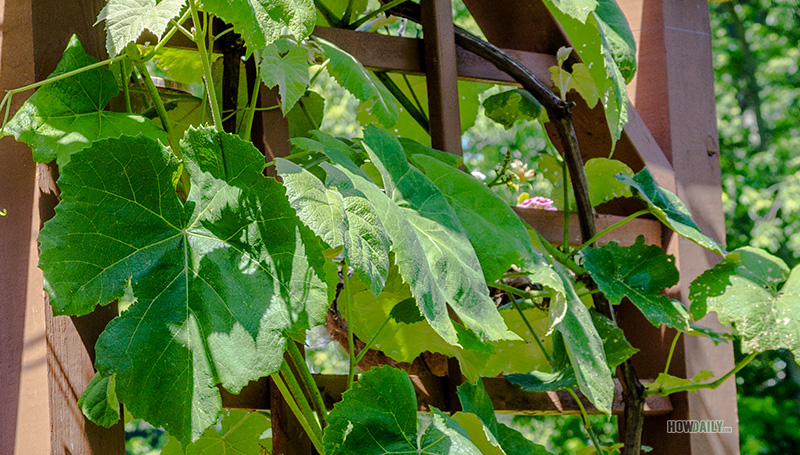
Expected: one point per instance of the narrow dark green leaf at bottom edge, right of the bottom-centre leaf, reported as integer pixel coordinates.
(474, 399)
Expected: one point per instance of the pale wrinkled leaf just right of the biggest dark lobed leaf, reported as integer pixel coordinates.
(339, 220)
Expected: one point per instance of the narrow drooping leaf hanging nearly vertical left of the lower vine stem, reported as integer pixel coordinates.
(585, 348)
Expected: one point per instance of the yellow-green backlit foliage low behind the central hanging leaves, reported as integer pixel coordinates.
(405, 340)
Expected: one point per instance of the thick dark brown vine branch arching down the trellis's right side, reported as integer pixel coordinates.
(559, 112)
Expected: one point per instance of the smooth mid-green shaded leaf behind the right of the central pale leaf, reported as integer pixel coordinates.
(496, 232)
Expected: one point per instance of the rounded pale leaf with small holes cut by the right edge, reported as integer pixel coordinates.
(763, 312)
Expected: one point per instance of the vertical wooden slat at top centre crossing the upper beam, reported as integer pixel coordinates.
(442, 75)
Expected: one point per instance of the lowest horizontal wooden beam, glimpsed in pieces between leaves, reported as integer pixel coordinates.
(432, 391)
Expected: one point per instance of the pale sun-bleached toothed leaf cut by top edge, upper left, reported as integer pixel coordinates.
(127, 19)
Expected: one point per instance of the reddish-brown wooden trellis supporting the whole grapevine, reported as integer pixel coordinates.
(46, 361)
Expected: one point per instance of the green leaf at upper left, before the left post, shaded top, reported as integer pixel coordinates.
(67, 115)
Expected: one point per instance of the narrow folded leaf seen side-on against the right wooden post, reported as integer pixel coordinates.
(669, 209)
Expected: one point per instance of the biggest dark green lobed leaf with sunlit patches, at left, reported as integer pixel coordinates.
(220, 279)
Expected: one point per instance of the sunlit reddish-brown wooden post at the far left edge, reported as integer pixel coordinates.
(45, 361)
